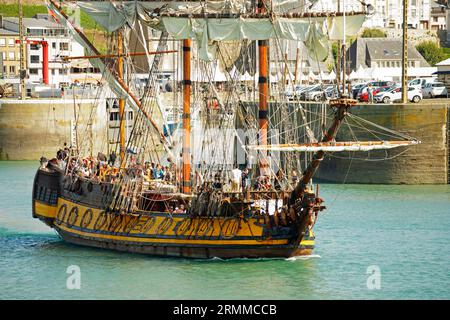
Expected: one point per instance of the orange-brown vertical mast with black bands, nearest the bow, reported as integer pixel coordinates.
(263, 49)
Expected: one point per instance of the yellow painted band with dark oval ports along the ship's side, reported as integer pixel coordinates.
(159, 229)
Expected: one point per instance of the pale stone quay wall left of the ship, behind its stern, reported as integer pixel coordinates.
(33, 128)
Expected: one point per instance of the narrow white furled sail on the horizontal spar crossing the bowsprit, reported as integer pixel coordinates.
(335, 146)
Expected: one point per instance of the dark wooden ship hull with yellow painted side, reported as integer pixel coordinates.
(81, 218)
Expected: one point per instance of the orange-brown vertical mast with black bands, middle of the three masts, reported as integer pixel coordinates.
(186, 116)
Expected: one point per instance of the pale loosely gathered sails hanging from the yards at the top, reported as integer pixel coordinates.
(212, 21)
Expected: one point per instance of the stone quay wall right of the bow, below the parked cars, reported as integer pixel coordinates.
(426, 163)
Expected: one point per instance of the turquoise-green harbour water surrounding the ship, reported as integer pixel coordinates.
(402, 231)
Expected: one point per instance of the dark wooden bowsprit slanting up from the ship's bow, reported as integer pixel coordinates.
(341, 110)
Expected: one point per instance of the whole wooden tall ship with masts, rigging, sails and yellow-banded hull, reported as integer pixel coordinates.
(229, 173)
